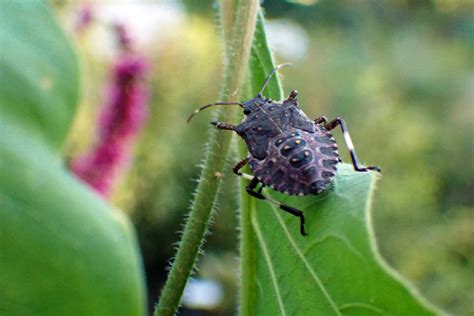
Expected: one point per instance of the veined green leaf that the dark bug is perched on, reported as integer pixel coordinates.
(336, 269)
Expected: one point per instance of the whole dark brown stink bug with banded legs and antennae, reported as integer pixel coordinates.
(288, 152)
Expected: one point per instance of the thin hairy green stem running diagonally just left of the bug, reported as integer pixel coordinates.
(218, 147)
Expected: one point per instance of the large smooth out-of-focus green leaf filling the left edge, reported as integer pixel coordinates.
(63, 250)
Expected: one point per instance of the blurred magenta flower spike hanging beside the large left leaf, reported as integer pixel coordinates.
(122, 116)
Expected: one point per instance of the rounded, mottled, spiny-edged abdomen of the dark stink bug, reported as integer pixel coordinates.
(298, 162)
